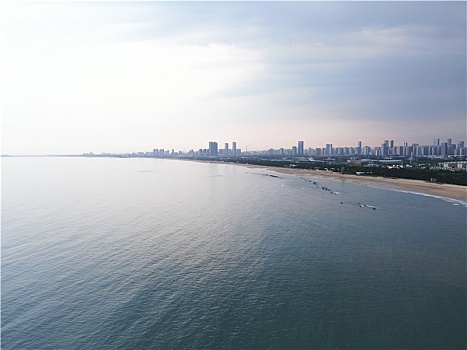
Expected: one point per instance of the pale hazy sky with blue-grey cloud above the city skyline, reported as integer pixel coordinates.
(133, 76)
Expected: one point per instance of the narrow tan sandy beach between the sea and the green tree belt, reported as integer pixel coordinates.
(435, 189)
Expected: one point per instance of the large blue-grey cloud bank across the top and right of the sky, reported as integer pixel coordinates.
(417, 70)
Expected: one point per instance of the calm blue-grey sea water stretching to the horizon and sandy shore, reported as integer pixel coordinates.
(146, 253)
